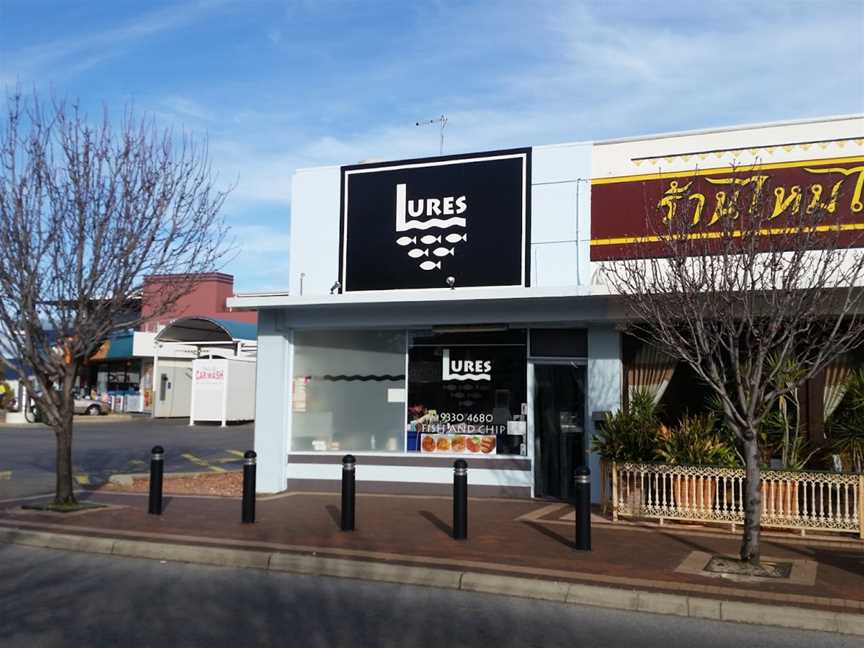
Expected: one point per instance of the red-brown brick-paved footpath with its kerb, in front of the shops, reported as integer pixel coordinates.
(515, 547)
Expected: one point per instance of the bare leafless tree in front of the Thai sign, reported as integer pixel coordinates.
(753, 284)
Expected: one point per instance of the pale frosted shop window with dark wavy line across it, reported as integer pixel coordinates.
(348, 391)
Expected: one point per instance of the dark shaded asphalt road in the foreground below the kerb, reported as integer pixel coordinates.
(51, 598)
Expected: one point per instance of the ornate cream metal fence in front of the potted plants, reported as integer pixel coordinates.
(790, 500)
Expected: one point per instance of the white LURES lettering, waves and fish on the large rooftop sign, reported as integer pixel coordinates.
(442, 213)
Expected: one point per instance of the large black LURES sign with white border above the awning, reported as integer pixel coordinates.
(458, 221)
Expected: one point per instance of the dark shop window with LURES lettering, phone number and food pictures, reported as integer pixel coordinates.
(467, 395)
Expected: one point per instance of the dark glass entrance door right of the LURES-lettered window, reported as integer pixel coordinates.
(559, 427)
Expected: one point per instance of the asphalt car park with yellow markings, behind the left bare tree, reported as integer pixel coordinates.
(103, 448)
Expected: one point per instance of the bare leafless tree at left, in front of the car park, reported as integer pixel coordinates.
(86, 212)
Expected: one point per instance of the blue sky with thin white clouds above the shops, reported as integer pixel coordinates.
(281, 85)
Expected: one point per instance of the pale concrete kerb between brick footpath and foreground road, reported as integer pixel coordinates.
(563, 592)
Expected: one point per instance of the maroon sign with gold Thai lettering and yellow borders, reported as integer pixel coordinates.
(628, 212)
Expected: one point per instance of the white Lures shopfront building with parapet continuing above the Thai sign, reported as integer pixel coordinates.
(352, 358)
